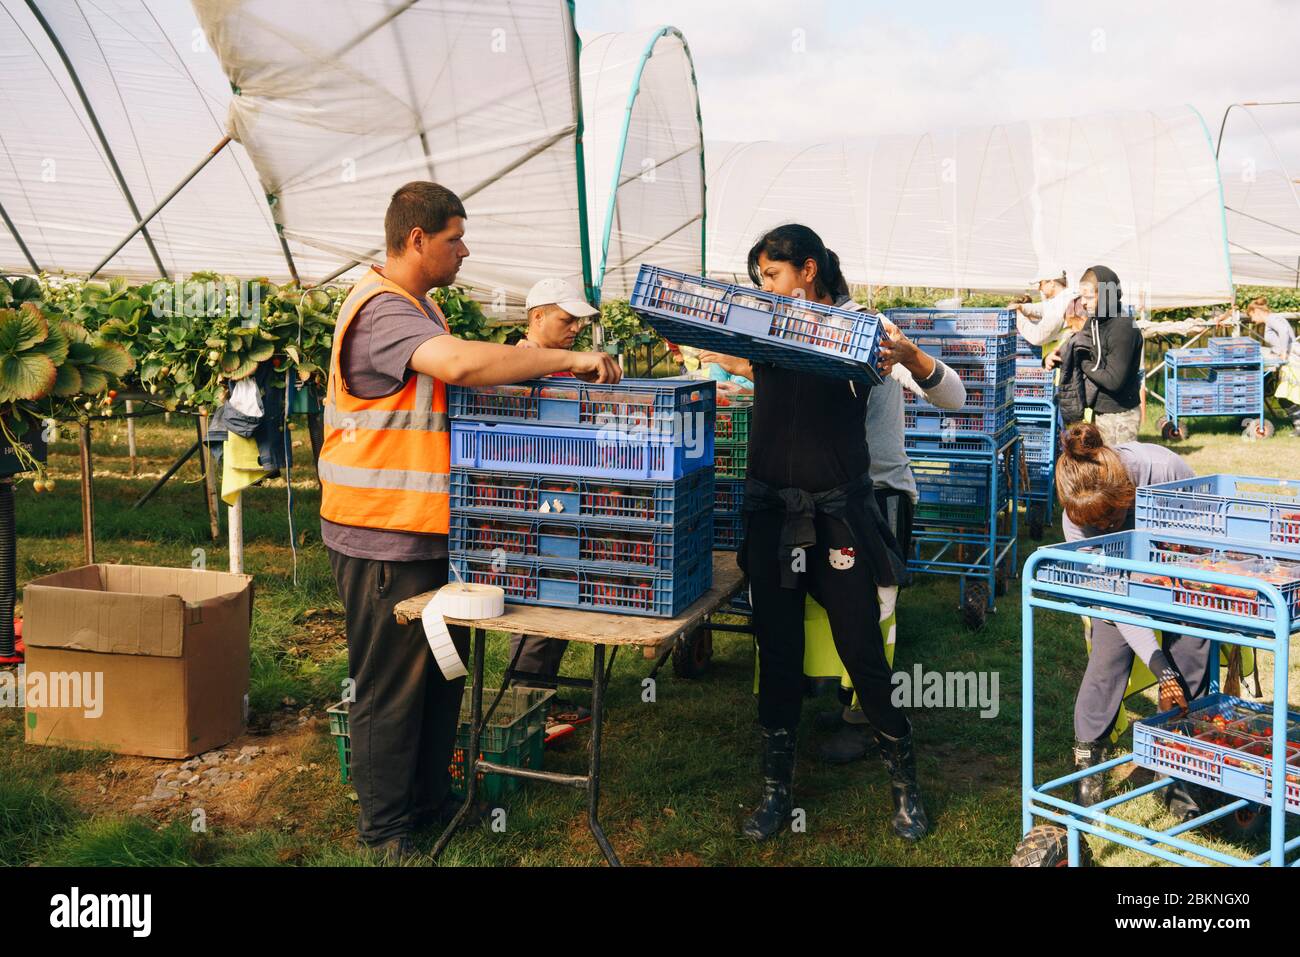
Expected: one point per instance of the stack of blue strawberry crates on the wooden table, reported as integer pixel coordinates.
(596, 497)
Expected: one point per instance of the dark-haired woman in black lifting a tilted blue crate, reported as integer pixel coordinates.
(813, 527)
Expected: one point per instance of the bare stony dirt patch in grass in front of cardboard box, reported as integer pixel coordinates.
(235, 786)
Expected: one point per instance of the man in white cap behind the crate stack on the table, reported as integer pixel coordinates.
(557, 314)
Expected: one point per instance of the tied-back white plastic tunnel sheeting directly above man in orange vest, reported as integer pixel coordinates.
(344, 101)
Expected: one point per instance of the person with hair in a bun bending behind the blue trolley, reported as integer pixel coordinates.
(1098, 486)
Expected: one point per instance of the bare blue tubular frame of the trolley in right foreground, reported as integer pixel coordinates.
(1217, 627)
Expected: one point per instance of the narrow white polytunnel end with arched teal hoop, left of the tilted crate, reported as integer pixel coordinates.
(643, 144)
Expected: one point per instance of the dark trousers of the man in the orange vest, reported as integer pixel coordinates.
(404, 721)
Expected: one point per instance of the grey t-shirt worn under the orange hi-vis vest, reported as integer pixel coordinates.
(375, 363)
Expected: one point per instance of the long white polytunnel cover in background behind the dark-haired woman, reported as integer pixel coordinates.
(993, 207)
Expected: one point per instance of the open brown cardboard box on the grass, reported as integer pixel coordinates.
(168, 647)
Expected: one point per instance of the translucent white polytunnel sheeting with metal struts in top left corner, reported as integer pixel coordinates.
(161, 99)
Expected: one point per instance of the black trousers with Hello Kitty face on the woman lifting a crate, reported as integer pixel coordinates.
(844, 586)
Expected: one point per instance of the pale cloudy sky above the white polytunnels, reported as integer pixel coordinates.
(821, 70)
